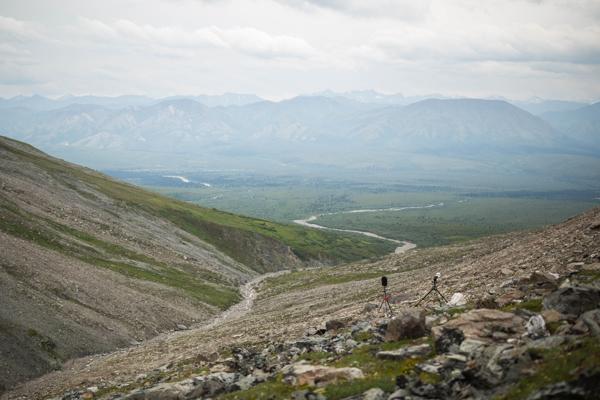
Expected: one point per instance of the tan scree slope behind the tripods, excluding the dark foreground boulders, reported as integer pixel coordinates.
(290, 304)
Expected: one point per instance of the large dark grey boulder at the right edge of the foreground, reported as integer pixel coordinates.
(573, 300)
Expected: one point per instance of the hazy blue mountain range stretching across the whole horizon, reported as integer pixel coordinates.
(330, 134)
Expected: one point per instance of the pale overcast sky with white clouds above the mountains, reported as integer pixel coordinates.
(280, 48)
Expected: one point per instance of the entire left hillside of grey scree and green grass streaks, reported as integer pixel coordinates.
(89, 264)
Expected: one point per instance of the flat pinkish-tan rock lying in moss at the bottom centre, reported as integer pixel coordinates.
(318, 375)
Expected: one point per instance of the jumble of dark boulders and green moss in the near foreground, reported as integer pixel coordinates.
(543, 345)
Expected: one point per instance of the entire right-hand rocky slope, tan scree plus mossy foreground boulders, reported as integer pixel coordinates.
(329, 318)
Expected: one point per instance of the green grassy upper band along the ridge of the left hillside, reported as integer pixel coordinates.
(235, 235)
